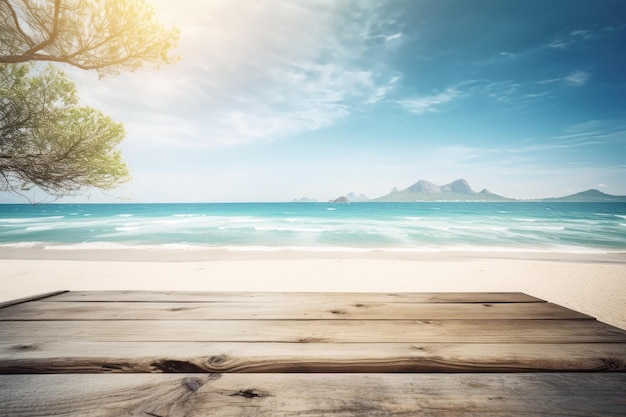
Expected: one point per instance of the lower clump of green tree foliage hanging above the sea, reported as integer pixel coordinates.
(49, 141)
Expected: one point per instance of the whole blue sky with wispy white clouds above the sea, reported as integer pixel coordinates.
(274, 100)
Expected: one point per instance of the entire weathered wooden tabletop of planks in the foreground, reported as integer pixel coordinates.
(305, 354)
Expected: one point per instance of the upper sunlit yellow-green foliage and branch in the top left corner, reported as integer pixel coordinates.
(102, 35)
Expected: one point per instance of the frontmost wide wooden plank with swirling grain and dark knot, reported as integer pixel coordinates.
(281, 395)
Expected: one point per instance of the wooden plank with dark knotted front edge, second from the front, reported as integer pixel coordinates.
(112, 357)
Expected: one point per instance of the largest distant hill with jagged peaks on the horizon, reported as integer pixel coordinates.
(458, 190)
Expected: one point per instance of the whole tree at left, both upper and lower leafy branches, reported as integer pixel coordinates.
(46, 139)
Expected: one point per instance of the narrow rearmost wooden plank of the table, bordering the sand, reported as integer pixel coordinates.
(270, 297)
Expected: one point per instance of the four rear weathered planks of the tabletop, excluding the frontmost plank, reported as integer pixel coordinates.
(303, 332)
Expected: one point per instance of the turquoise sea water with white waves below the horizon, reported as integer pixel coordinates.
(563, 227)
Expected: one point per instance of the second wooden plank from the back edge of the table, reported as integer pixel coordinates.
(284, 310)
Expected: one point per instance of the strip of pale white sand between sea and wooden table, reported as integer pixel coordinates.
(595, 285)
